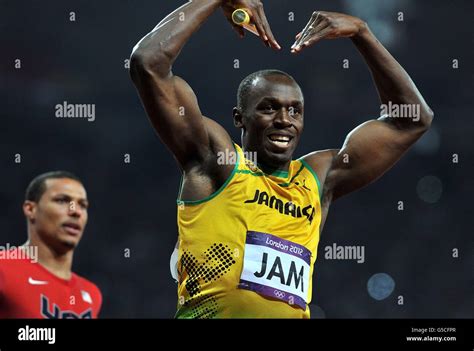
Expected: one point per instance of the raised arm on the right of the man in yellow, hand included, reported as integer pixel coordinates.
(376, 145)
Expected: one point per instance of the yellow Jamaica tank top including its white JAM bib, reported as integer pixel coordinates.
(248, 250)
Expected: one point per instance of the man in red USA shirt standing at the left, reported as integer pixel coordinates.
(36, 280)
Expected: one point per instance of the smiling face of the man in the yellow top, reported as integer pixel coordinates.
(273, 120)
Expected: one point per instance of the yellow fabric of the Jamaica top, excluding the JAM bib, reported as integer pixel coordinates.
(212, 234)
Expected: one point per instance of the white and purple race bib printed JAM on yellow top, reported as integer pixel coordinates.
(276, 268)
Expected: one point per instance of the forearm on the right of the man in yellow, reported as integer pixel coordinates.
(392, 81)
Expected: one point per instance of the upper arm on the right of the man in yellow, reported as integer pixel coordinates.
(368, 152)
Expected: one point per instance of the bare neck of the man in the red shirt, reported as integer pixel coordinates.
(60, 264)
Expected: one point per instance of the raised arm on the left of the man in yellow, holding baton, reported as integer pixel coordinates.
(169, 101)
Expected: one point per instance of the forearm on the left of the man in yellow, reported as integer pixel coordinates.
(160, 48)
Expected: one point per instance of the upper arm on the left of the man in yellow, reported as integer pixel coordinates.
(174, 112)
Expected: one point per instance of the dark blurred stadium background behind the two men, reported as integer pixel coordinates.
(133, 205)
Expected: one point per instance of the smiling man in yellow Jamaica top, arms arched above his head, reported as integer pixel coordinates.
(250, 216)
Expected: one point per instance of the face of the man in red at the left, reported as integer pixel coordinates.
(60, 216)
